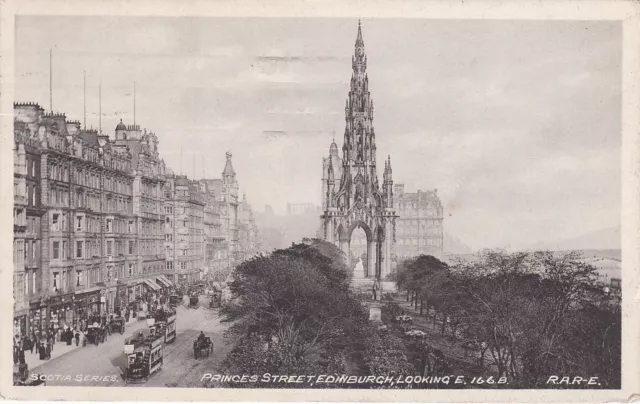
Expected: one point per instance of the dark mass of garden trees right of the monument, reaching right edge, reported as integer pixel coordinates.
(537, 313)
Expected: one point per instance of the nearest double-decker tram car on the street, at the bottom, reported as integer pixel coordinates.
(145, 354)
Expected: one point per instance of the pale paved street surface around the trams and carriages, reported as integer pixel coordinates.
(100, 365)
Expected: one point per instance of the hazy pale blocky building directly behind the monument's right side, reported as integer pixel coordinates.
(419, 228)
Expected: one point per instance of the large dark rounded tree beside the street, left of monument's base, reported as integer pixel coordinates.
(294, 307)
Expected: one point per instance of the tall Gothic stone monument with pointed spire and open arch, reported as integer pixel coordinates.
(352, 197)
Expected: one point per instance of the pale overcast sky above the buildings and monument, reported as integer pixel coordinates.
(516, 123)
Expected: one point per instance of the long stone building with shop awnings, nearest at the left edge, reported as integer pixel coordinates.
(92, 225)
